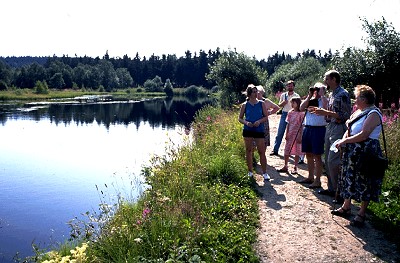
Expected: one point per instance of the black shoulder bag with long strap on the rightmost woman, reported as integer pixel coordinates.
(370, 164)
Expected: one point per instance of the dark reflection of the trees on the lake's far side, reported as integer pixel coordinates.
(157, 112)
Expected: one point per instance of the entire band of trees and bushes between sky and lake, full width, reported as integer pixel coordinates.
(378, 66)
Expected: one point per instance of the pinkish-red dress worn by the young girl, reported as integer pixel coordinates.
(295, 122)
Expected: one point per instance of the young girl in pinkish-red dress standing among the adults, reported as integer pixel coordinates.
(294, 131)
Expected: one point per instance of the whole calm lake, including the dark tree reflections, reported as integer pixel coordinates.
(52, 157)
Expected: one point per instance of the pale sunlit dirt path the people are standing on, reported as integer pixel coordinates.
(297, 226)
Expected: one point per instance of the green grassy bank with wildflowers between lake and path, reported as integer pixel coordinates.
(202, 207)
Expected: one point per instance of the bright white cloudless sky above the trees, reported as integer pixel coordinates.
(258, 28)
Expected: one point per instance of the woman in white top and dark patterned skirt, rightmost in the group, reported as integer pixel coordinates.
(364, 128)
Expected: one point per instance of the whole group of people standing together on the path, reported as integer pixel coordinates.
(319, 126)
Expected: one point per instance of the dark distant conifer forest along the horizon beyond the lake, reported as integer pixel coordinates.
(117, 73)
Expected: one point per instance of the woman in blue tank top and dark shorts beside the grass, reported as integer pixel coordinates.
(253, 114)
